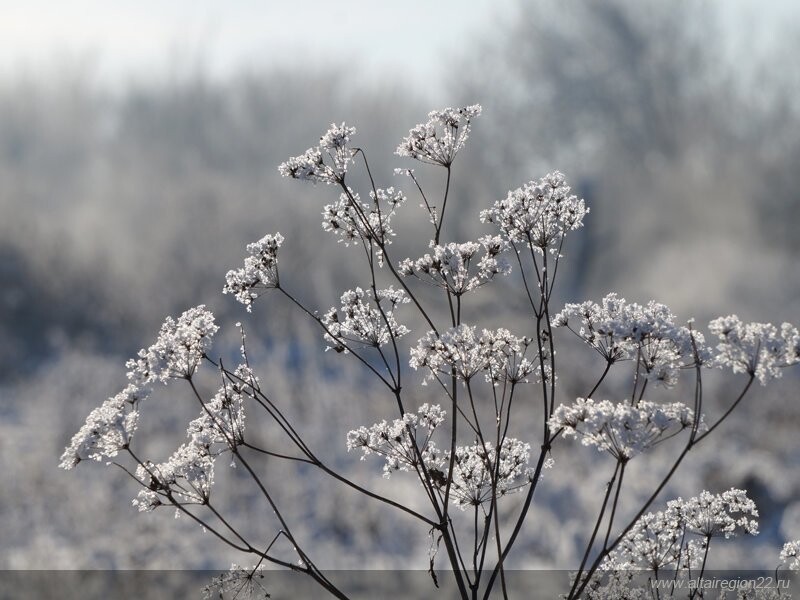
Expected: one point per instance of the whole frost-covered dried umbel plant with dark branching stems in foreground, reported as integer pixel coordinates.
(478, 455)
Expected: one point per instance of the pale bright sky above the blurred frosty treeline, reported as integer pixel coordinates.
(123, 39)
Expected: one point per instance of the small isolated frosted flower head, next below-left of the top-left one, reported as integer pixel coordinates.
(260, 271)
